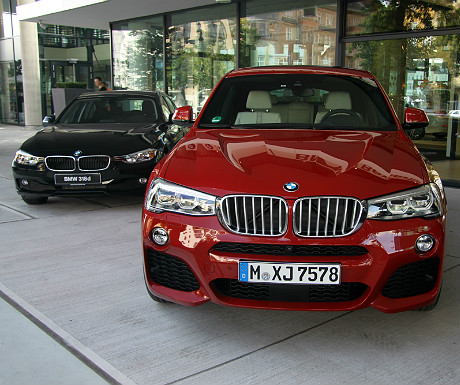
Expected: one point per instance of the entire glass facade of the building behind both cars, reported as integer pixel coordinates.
(411, 46)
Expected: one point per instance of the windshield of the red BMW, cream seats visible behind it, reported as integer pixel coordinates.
(298, 101)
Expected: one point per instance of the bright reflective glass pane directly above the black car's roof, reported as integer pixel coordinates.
(138, 55)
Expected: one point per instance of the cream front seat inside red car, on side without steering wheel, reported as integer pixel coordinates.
(259, 102)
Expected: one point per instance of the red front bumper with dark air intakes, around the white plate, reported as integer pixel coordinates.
(200, 264)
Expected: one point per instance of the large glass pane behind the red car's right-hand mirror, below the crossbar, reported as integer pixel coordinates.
(423, 73)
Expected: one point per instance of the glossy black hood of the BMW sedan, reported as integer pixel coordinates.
(101, 139)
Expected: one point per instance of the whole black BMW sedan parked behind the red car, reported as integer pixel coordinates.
(102, 143)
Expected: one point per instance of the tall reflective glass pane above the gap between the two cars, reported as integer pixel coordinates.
(202, 49)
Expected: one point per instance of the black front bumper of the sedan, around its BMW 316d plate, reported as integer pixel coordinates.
(117, 179)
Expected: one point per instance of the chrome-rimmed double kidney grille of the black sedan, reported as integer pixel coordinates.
(84, 163)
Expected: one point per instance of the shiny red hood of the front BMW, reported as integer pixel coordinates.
(344, 163)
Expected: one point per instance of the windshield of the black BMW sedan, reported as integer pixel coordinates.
(110, 109)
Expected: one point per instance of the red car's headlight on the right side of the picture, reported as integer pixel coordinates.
(424, 201)
